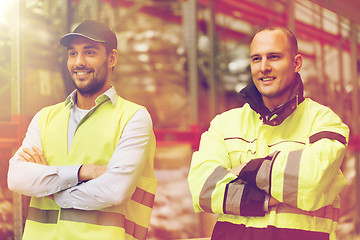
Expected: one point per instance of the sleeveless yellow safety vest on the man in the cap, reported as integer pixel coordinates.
(46, 220)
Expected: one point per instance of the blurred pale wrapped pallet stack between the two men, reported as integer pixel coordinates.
(173, 216)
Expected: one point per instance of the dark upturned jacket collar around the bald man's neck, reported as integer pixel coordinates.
(252, 96)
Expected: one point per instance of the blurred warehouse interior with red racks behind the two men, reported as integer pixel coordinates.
(185, 61)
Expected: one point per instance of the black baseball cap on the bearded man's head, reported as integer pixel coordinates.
(92, 30)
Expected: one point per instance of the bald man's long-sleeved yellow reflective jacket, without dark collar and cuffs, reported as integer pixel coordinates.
(304, 175)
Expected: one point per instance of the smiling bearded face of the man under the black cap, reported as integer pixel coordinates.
(89, 66)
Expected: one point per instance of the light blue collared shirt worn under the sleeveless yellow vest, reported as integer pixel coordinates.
(113, 187)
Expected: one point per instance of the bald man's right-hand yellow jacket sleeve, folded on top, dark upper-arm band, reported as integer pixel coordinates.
(309, 178)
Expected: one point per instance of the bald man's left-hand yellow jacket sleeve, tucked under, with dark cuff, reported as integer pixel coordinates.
(213, 187)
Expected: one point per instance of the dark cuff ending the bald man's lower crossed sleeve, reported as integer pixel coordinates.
(252, 202)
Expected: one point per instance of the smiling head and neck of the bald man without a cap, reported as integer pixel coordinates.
(273, 66)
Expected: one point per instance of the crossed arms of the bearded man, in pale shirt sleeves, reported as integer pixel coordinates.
(29, 173)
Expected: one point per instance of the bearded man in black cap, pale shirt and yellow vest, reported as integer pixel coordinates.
(87, 162)
